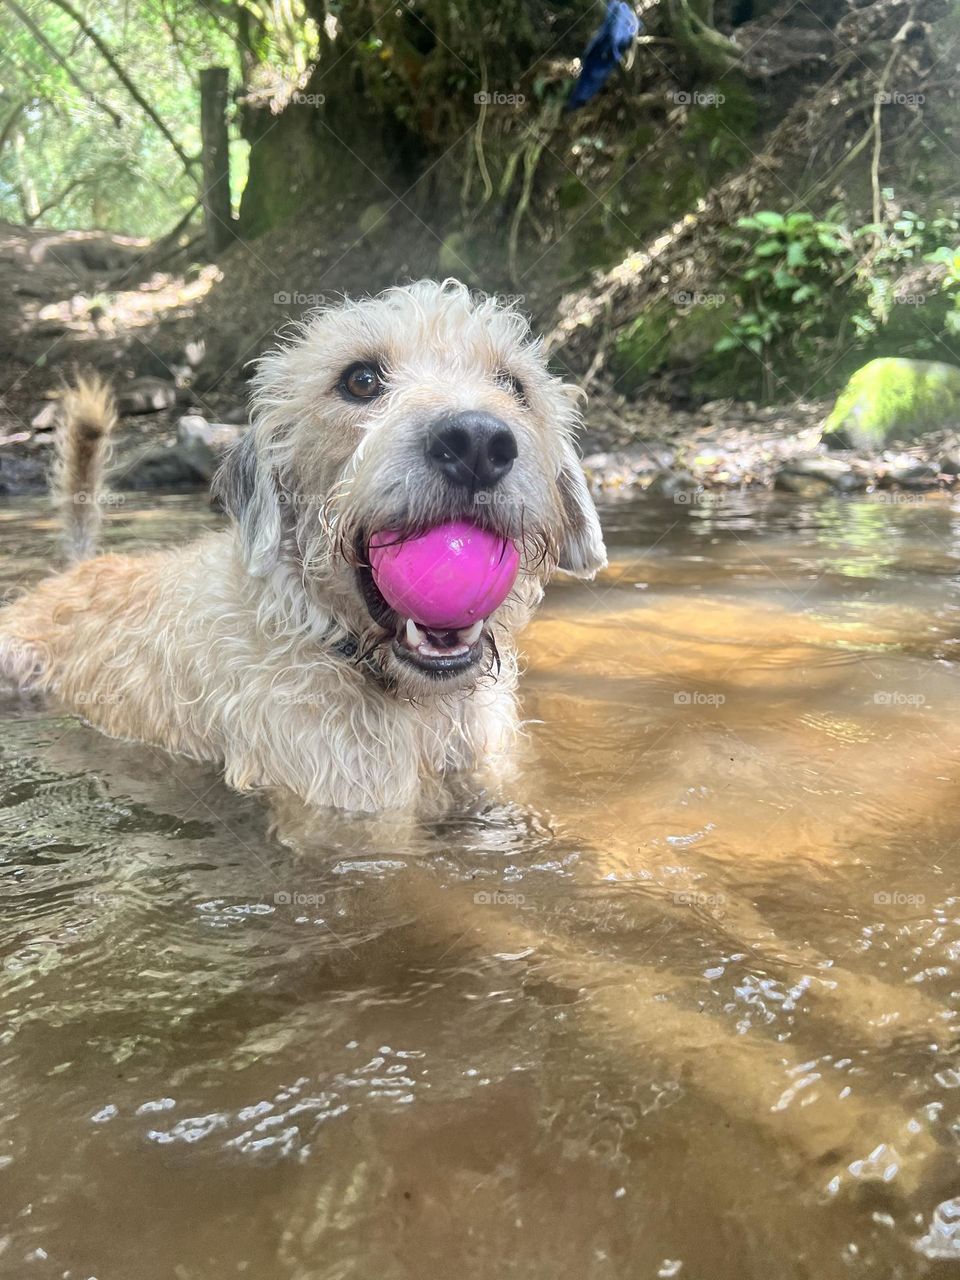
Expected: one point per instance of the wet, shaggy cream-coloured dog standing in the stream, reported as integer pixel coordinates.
(268, 647)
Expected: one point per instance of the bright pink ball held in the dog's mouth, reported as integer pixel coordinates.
(449, 577)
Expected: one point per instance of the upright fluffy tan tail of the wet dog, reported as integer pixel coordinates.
(88, 418)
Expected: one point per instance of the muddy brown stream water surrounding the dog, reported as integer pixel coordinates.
(683, 1004)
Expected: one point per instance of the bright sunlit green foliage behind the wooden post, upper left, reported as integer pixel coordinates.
(80, 152)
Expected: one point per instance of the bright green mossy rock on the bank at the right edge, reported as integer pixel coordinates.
(894, 400)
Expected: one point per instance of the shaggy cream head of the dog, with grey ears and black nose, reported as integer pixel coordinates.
(401, 413)
